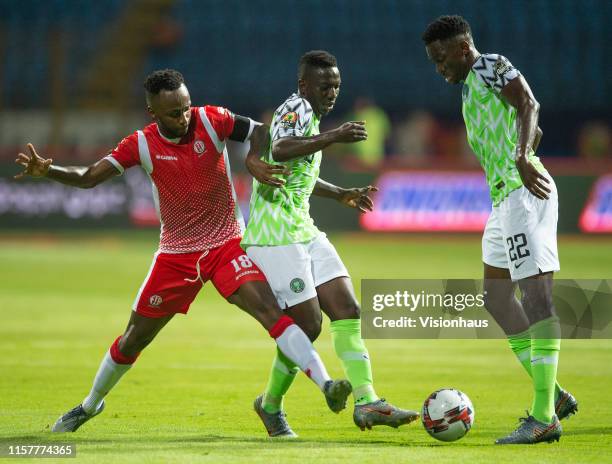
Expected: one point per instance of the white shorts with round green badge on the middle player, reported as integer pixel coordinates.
(295, 271)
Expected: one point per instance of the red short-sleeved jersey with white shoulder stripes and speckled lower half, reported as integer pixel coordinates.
(191, 180)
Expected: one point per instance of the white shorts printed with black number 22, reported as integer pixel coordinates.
(521, 234)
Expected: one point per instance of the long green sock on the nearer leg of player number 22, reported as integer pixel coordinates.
(545, 345)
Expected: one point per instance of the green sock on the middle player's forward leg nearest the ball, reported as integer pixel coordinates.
(346, 337)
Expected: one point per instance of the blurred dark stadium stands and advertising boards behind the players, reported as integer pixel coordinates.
(71, 74)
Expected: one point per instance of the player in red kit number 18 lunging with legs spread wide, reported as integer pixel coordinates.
(183, 152)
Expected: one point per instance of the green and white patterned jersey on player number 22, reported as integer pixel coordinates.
(490, 122)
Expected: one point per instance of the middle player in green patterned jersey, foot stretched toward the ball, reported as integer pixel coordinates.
(303, 268)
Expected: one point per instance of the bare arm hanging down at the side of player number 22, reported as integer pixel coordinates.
(519, 95)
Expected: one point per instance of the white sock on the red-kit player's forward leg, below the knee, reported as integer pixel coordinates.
(294, 344)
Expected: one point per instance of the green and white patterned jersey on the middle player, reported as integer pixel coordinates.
(281, 215)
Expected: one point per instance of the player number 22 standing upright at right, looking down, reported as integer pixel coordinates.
(519, 244)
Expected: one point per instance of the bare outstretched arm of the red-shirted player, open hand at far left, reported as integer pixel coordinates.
(76, 176)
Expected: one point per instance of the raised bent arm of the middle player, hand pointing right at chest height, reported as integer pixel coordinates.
(287, 148)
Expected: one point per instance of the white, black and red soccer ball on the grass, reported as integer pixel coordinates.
(447, 414)
